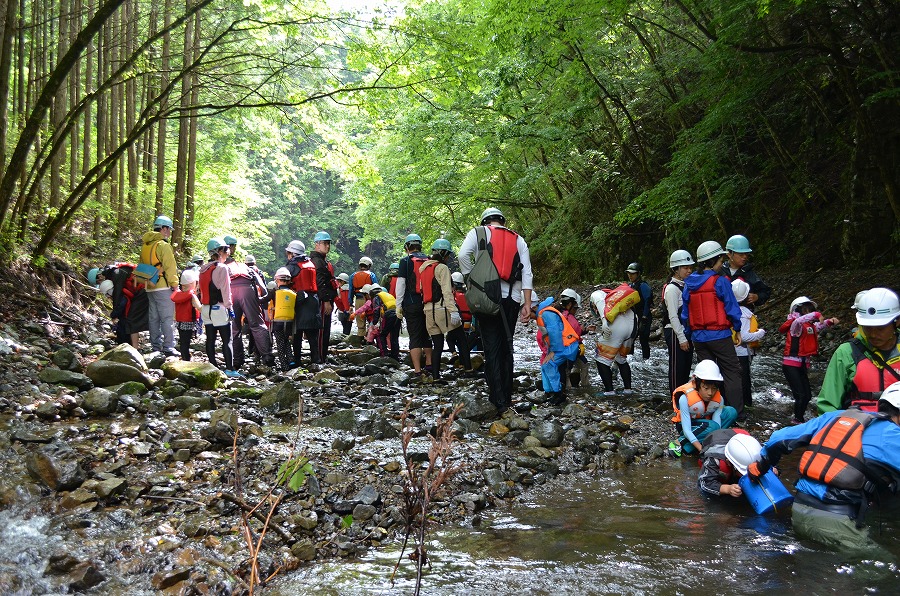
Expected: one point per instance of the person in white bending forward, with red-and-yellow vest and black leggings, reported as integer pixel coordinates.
(613, 343)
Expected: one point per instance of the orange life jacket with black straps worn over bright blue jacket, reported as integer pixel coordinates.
(835, 455)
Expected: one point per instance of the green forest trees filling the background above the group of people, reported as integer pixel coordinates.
(607, 132)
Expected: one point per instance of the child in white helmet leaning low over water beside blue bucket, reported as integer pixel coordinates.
(724, 458)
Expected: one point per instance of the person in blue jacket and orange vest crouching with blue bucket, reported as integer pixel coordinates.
(852, 458)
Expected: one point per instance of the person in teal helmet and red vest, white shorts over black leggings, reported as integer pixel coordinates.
(215, 304)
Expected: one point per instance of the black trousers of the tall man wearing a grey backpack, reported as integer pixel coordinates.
(496, 337)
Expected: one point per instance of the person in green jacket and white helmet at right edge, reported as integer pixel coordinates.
(862, 367)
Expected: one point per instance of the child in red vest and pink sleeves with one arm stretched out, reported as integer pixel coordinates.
(801, 329)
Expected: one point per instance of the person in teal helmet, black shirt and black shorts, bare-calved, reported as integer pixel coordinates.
(410, 304)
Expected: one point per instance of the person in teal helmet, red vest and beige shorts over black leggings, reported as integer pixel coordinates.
(441, 314)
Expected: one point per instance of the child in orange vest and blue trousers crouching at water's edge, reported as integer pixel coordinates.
(699, 407)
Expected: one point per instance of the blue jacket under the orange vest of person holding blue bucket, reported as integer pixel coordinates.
(881, 445)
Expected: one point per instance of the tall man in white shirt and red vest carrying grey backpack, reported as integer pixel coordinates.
(509, 253)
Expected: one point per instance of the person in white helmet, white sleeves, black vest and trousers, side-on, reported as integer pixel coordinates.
(681, 351)
